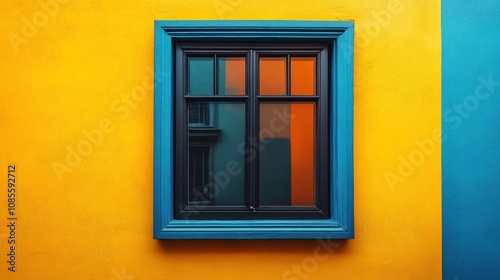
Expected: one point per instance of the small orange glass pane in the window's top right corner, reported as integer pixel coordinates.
(303, 75)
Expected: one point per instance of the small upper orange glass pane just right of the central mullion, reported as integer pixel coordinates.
(272, 76)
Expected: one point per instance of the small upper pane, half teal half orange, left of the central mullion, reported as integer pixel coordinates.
(232, 76)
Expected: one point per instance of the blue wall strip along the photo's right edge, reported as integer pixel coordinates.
(471, 149)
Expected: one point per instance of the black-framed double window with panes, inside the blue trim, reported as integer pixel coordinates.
(260, 113)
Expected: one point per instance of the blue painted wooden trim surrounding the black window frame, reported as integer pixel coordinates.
(341, 224)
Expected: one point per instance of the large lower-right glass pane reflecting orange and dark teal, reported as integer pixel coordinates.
(287, 154)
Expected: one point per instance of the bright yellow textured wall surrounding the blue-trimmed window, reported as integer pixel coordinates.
(86, 65)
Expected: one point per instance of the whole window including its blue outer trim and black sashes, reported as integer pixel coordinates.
(253, 130)
